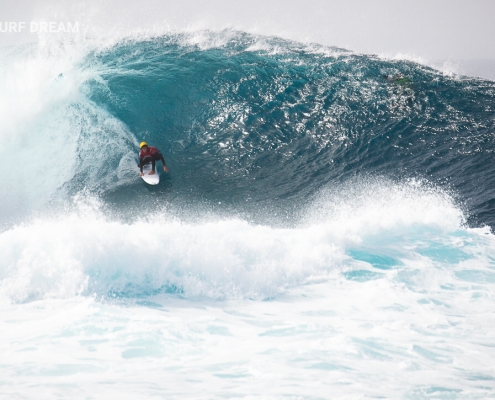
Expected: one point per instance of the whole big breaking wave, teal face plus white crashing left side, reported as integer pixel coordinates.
(249, 122)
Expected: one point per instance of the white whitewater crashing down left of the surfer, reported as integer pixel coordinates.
(49, 130)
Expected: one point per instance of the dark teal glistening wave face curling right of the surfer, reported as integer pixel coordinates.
(258, 120)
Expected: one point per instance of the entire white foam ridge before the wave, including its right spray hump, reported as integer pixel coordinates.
(85, 253)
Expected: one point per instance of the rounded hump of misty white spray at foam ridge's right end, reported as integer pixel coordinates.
(373, 205)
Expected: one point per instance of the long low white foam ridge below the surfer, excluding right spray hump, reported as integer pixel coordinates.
(86, 255)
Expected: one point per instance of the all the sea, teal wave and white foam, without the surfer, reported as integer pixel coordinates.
(325, 231)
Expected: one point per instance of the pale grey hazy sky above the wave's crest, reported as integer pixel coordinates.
(428, 30)
